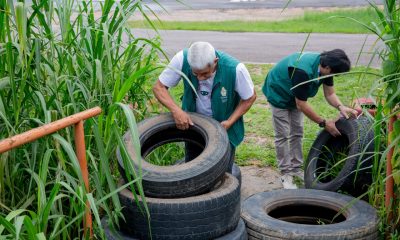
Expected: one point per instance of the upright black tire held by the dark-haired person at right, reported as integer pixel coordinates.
(354, 175)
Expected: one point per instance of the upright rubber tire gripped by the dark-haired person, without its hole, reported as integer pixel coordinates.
(347, 180)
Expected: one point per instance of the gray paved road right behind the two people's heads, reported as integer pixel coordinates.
(266, 47)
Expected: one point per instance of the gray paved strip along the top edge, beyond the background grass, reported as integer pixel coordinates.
(240, 4)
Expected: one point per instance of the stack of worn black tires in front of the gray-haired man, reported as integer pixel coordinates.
(192, 200)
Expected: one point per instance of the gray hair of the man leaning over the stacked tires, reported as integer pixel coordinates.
(201, 55)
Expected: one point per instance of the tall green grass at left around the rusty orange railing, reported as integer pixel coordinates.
(58, 58)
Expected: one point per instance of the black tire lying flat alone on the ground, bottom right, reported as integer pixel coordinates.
(308, 214)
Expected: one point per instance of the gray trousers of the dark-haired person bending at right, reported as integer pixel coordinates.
(288, 127)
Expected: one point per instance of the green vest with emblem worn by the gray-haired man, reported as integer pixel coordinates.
(224, 98)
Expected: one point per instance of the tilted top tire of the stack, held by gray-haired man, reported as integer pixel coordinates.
(189, 179)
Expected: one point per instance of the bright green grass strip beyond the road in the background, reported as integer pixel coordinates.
(312, 21)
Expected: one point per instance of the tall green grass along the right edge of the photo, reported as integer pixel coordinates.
(387, 89)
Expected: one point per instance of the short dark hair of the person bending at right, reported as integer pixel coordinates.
(336, 59)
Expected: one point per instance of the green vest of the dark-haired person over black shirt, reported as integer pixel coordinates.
(278, 82)
